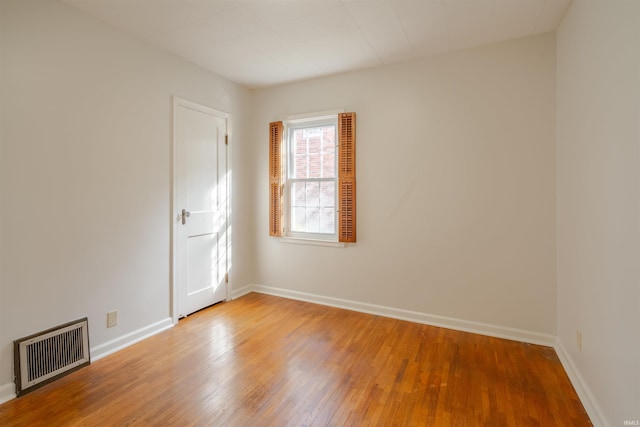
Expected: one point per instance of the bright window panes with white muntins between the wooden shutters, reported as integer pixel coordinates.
(311, 185)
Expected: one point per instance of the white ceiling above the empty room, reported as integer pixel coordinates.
(259, 43)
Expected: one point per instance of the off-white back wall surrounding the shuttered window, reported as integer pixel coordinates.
(456, 187)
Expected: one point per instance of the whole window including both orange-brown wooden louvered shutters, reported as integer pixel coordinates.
(312, 178)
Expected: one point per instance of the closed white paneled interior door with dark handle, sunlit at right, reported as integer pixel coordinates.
(200, 220)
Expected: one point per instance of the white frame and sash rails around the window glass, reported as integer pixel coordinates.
(305, 121)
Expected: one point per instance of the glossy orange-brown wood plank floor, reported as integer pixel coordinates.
(267, 361)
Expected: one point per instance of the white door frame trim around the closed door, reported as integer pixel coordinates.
(177, 102)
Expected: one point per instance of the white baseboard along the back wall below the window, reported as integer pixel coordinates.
(412, 316)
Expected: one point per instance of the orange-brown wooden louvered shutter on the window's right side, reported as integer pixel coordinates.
(347, 177)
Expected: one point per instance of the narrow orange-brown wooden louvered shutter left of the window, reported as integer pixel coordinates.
(275, 178)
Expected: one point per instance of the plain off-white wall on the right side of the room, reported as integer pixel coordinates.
(598, 137)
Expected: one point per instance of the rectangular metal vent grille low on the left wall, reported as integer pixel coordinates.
(51, 354)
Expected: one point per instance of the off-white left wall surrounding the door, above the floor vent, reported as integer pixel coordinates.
(85, 173)
